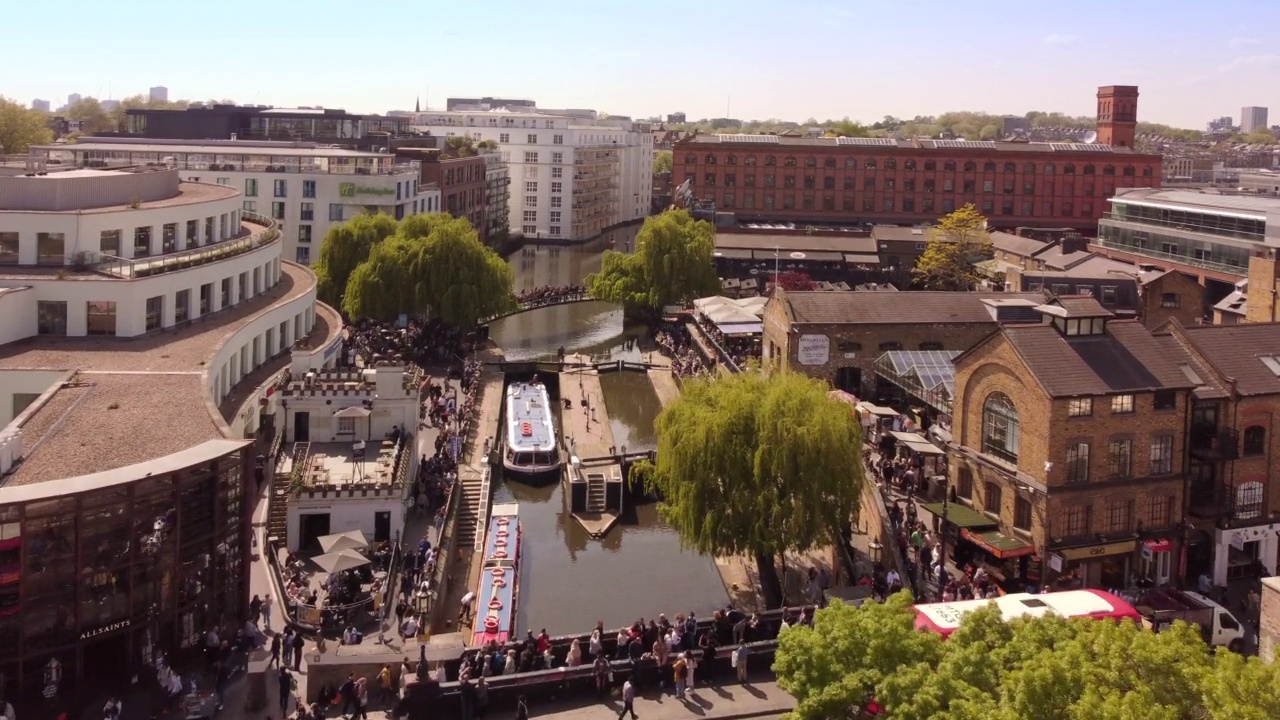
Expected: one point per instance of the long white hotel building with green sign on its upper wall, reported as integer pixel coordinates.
(303, 186)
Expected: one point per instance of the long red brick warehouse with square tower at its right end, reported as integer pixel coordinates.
(880, 180)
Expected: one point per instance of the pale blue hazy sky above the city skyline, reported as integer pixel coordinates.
(751, 60)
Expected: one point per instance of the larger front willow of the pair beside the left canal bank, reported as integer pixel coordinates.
(436, 267)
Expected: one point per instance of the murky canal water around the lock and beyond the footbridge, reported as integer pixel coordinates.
(569, 581)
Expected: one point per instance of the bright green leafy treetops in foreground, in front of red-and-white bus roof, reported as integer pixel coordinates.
(1045, 668)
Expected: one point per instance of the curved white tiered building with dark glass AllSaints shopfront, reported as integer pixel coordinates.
(145, 327)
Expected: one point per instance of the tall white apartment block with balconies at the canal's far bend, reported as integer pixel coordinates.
(572, 176)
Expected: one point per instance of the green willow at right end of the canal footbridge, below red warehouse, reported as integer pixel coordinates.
(673, 263)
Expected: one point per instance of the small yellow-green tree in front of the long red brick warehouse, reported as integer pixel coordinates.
(957, 244)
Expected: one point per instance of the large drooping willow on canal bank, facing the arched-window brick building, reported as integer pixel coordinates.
(757, 464)
